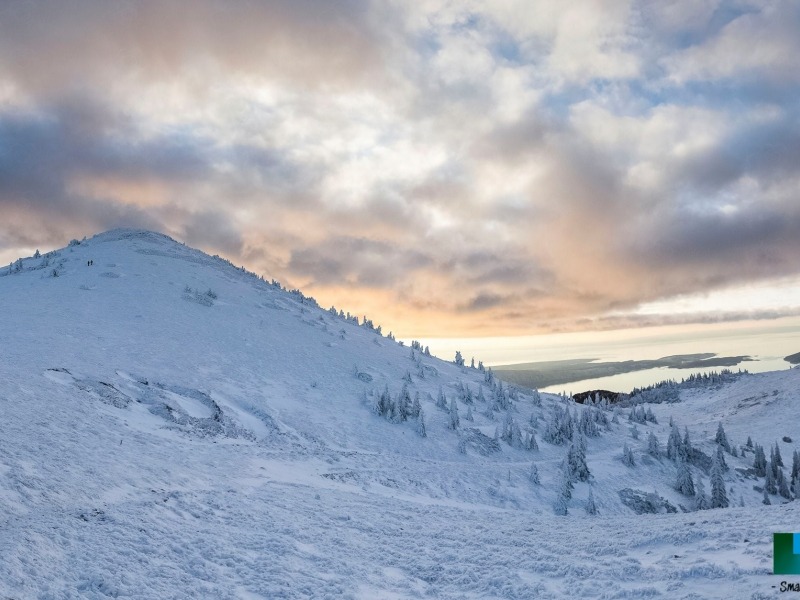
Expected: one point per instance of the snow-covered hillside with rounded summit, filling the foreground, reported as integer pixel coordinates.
(157, 442)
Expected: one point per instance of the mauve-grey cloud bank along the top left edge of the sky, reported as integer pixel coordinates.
(49, 46)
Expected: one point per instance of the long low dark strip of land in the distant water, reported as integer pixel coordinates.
(544, 374)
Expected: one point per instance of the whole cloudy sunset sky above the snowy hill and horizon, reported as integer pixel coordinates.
(448, 168)
